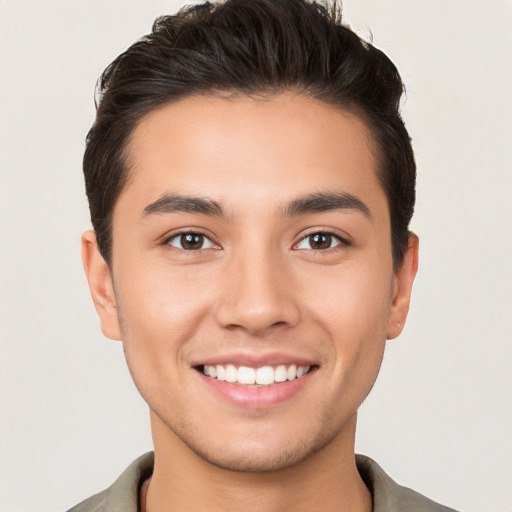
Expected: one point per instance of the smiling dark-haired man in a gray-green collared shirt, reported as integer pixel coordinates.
(251, 185)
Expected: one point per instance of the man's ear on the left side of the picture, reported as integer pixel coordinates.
(101, 286)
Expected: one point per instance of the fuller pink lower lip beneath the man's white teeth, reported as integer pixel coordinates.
(257, 397)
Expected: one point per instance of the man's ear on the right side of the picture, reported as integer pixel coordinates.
(402, 288)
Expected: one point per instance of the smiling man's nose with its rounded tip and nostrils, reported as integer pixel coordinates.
(257, 295)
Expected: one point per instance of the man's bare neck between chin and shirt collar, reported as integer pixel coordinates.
(326, 481)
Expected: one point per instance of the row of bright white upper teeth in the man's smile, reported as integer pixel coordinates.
(263, 376)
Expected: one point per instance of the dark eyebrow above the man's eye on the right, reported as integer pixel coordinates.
(326, 201)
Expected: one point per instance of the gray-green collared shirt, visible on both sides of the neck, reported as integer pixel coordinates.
(388, 496)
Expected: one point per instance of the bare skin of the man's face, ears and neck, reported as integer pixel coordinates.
(258, 288)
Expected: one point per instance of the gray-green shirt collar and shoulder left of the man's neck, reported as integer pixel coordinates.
(123, 494)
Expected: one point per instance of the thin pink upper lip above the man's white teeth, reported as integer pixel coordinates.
(254, 360)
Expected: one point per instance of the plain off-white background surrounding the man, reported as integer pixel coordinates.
(439, 419)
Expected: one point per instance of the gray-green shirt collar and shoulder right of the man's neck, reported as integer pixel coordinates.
(388, 496)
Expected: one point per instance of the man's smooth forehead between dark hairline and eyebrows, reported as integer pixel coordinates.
(242, 150)
